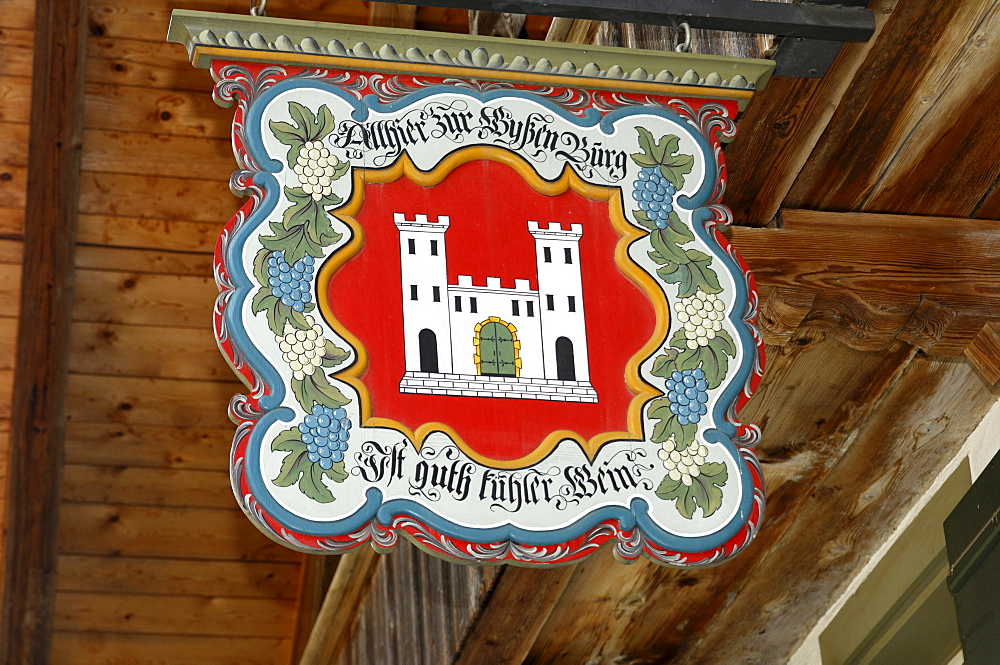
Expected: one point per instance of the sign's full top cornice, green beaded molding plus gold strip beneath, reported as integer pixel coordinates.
(209, 35)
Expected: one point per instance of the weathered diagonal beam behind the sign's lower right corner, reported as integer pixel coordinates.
(646, 613)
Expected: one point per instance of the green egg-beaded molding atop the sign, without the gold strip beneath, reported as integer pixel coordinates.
(193, 28)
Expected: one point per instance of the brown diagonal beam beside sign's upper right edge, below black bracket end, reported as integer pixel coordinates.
(785, 121)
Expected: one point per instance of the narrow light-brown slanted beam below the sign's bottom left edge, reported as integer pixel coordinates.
(351, 581)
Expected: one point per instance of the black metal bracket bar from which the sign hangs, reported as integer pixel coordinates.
(812, 31)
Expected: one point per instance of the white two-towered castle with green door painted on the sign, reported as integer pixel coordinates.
(491, 340)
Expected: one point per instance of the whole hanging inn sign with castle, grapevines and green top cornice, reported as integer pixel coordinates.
(479, 294)
